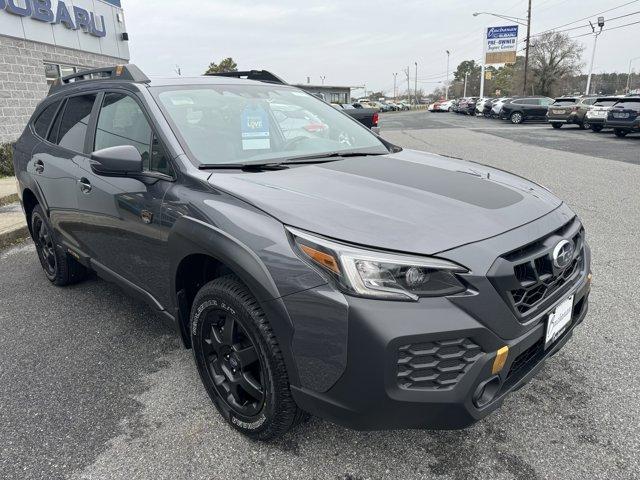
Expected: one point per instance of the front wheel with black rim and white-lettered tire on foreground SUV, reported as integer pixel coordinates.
(243, 371)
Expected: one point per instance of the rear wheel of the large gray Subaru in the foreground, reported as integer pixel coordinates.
(59, 267)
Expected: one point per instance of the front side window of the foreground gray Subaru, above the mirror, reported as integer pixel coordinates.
(122, 122)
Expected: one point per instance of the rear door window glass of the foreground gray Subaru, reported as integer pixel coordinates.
(72, 129)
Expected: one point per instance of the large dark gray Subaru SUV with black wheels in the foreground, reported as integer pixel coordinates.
(310, 265)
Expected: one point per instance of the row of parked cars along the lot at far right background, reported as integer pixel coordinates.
(620, 113)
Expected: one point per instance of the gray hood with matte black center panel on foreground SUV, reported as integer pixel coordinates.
(408, 201)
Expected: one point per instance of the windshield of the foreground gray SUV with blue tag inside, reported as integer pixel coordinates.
(245, 124)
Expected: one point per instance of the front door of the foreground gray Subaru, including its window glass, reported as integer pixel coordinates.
(121, 217)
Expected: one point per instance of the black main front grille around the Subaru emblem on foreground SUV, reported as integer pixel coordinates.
(527, 277)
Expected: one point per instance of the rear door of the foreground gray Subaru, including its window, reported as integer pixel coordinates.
(54, 162)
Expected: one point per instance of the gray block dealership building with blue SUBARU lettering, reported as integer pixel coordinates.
(42, 40)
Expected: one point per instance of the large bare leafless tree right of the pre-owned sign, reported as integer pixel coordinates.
(553, 57)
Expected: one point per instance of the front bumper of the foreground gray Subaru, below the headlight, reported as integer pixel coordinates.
(370, 395)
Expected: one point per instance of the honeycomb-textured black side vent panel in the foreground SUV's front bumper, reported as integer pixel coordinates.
(435, 365)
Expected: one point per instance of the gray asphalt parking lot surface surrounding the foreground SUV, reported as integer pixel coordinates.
(95, 386)
